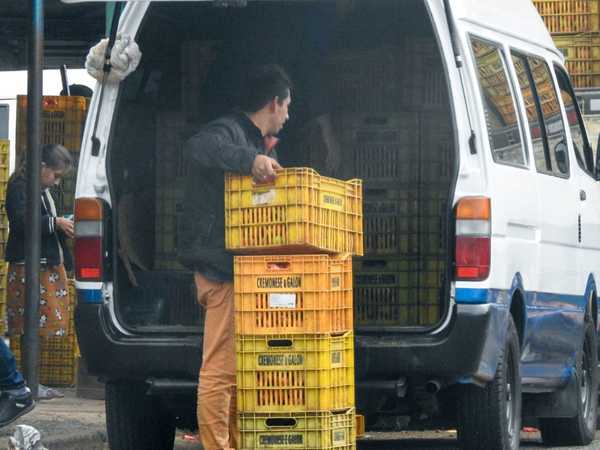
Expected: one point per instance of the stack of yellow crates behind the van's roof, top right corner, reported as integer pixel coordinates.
(575, 28)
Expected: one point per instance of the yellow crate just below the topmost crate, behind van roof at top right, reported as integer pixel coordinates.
(582, 53)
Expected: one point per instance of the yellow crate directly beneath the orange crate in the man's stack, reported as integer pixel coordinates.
(295, 373)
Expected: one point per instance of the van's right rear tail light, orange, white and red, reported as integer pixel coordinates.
(473, 238)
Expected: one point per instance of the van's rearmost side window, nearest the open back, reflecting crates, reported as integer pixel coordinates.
(504, 133)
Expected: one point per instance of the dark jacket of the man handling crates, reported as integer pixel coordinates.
(228, 144)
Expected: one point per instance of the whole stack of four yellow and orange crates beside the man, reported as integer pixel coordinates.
(293, 308)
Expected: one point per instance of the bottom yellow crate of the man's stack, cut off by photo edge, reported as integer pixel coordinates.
(319, 431)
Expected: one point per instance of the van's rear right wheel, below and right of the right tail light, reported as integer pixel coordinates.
(490, 417)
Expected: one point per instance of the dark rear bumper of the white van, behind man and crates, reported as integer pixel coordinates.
(466, 351)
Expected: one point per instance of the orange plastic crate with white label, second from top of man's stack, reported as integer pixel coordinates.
(292, 294)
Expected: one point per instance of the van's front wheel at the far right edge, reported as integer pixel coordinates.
(579, 430)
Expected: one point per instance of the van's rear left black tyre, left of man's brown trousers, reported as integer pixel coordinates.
(135, 420)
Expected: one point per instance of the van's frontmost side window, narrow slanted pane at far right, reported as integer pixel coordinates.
(583, 151)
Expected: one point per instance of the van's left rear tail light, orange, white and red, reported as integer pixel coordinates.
(89, 233)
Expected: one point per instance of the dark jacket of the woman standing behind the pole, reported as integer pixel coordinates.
(53, 239)
